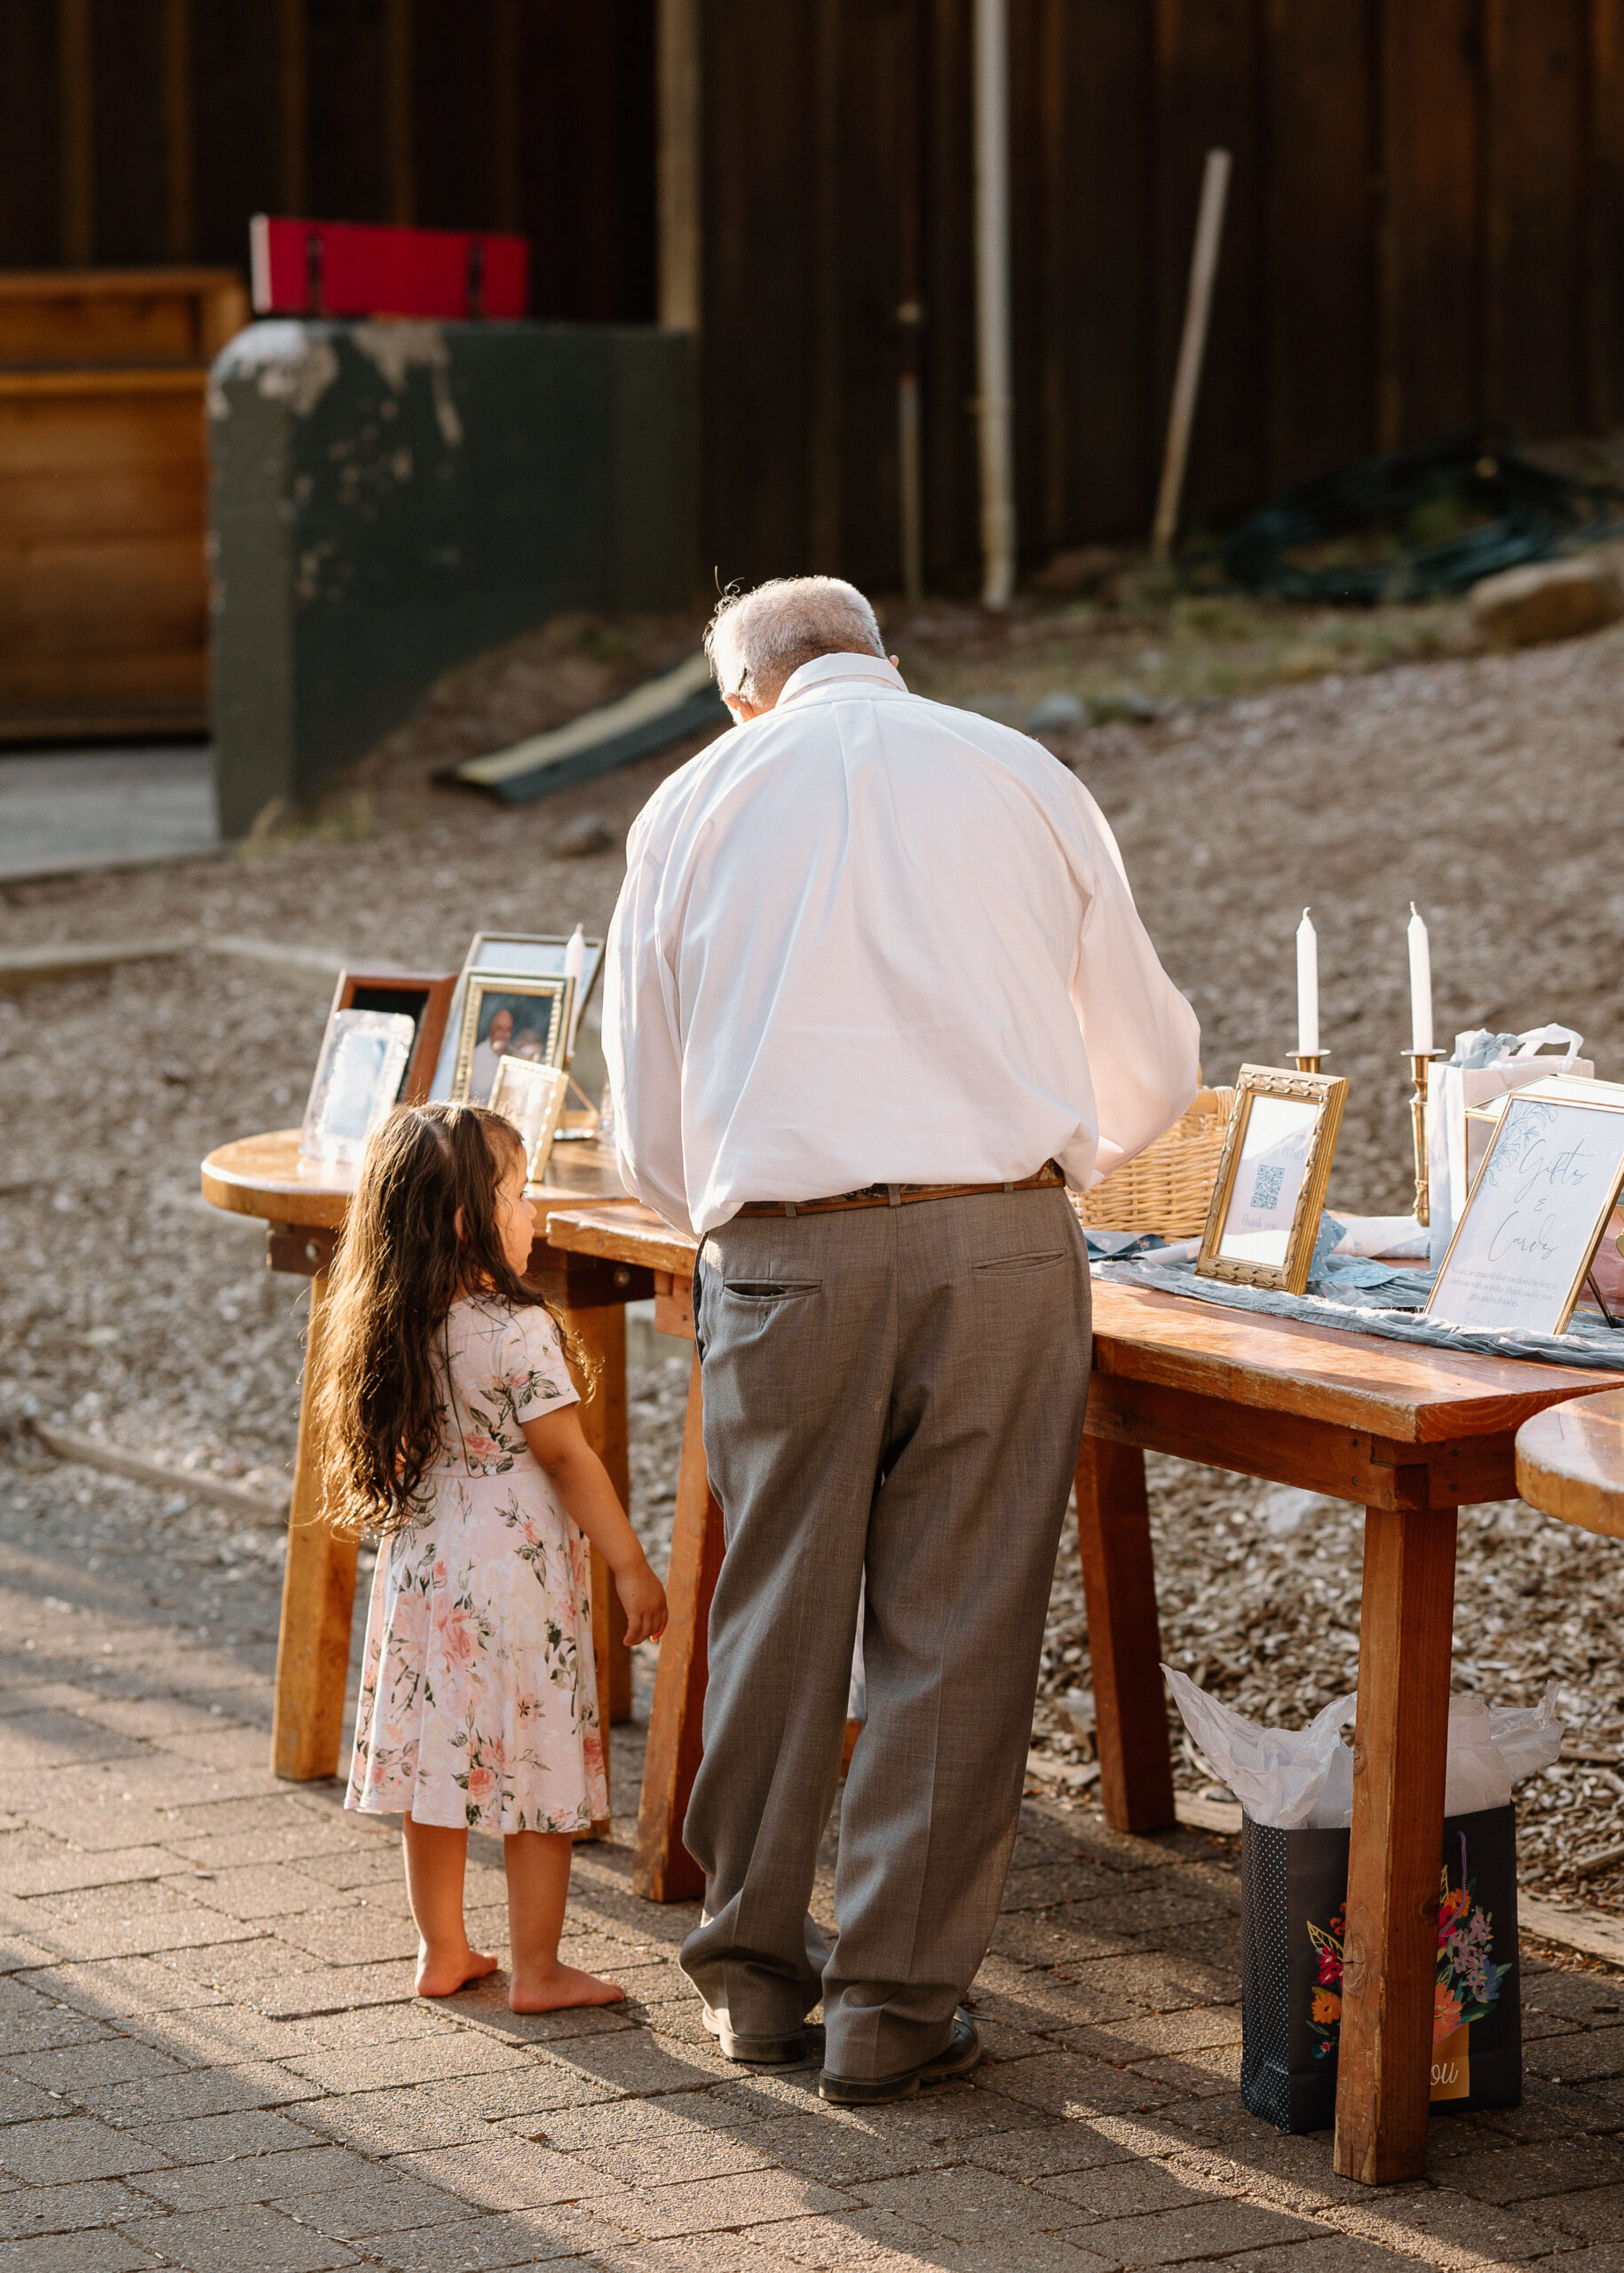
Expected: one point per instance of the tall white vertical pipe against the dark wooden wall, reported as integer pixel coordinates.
(993, 303)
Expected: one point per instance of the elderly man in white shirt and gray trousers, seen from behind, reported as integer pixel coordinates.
(877, 997)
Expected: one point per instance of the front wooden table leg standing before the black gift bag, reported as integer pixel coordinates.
(1400, 1751)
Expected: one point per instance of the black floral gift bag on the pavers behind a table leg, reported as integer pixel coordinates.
(1293, 1917)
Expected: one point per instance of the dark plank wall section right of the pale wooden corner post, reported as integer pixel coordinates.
(1425, 231)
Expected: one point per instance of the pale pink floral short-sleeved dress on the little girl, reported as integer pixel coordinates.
(479, 1697)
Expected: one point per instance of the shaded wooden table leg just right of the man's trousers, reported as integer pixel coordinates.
(1136, 1770)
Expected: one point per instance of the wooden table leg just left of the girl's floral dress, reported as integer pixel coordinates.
(313, 1663)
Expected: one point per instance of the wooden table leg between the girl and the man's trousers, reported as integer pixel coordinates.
(663, 1870)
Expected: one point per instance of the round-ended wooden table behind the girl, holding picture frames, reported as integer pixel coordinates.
(304, 1208)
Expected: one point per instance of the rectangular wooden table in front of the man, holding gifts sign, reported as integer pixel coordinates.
(1409, 1433)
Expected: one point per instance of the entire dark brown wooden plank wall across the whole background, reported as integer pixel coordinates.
(1427, 222)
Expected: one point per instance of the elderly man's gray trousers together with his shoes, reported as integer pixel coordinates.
(893, 1392)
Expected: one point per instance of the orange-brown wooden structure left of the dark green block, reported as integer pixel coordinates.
(103, 499)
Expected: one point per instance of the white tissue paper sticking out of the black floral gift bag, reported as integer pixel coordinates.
(1304, 1779)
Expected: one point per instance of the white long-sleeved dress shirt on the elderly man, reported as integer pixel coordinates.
(875, 940)
